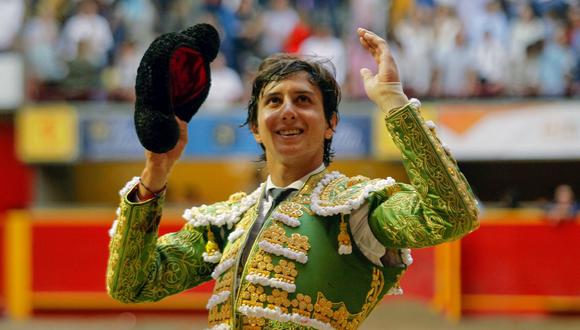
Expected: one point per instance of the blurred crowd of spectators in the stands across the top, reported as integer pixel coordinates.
(90, 49)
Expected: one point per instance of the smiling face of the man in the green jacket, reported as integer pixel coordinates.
(291, 123)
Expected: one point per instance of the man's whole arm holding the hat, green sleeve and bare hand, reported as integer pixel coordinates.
(143, 267)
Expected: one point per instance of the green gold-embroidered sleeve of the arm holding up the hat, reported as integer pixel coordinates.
(143, 267)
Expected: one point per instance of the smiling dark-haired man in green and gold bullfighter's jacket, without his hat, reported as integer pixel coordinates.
(309, 248)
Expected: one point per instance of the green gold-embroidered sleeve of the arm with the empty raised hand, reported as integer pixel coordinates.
(438, 206)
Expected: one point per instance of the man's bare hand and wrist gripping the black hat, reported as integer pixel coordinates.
(158, 166)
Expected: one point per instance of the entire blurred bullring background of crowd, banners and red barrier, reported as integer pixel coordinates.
(501, 79)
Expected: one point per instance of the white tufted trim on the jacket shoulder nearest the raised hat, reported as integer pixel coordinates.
(199, 219)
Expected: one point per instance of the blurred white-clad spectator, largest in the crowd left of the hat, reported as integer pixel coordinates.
(88, 26)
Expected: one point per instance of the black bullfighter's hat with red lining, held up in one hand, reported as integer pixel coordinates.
(173, 79)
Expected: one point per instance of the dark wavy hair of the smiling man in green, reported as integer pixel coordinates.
(278, 67)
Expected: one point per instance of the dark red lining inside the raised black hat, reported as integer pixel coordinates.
(188, 75)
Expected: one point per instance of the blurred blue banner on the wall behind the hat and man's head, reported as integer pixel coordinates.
(110, 136)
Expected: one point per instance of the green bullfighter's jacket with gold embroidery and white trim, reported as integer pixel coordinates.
(304, 270)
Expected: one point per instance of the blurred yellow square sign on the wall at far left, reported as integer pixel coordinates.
(47, 133)
